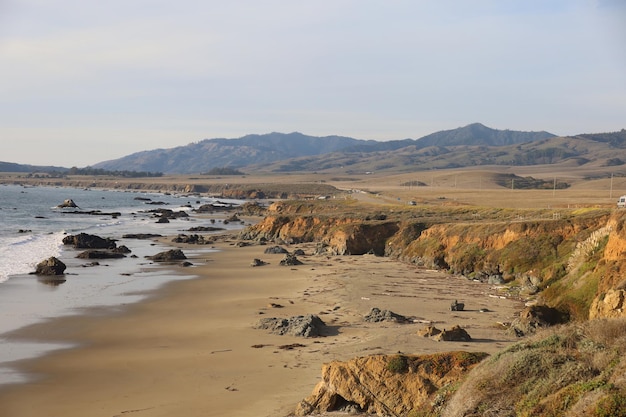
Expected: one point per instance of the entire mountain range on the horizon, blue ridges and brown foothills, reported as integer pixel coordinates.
(471, 145)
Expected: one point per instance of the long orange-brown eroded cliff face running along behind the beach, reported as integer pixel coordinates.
(575, 263)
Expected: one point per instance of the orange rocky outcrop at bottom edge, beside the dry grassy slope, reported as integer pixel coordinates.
(386, 385)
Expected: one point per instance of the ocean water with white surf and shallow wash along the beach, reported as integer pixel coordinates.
(32, 228)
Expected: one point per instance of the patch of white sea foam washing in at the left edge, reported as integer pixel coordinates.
(21, 254)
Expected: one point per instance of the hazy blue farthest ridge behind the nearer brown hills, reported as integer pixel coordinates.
(298, 151)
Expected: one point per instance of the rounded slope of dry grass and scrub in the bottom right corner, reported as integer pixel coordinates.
(567, 371)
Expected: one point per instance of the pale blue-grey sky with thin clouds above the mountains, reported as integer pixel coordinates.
(84, 81)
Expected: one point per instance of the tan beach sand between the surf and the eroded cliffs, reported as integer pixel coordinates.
(191, 348)
